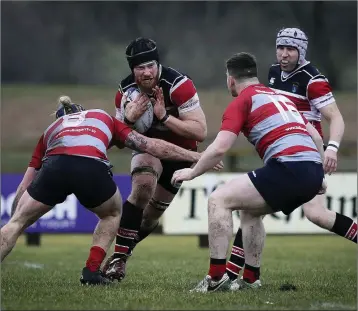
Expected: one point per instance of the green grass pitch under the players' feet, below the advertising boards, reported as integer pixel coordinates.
(163, 269)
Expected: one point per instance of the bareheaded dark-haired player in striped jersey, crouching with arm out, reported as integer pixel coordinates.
(292, 151)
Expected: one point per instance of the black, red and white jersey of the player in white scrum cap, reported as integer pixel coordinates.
(306, 87)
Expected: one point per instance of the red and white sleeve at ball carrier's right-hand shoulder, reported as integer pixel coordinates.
(183, 94)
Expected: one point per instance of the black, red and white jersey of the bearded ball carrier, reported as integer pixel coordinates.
(180, 96)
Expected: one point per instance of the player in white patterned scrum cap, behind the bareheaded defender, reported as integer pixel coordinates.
(297, 79)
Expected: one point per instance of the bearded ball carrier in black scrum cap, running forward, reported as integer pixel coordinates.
(179, 119)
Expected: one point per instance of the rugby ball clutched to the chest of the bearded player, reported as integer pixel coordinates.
(144, 123)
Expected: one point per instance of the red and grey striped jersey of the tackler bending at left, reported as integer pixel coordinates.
(87, 134)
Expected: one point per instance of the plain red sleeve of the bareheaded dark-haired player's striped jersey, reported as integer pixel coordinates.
(235, 115)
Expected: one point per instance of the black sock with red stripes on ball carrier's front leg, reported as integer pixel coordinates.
(128, 230)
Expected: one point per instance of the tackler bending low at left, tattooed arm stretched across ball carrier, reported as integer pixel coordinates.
(71, 157)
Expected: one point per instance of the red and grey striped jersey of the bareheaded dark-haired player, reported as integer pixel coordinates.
(272, 124)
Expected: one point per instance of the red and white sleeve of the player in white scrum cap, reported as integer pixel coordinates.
(319, 92)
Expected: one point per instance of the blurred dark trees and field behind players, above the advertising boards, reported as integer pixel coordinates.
(77, 48)
